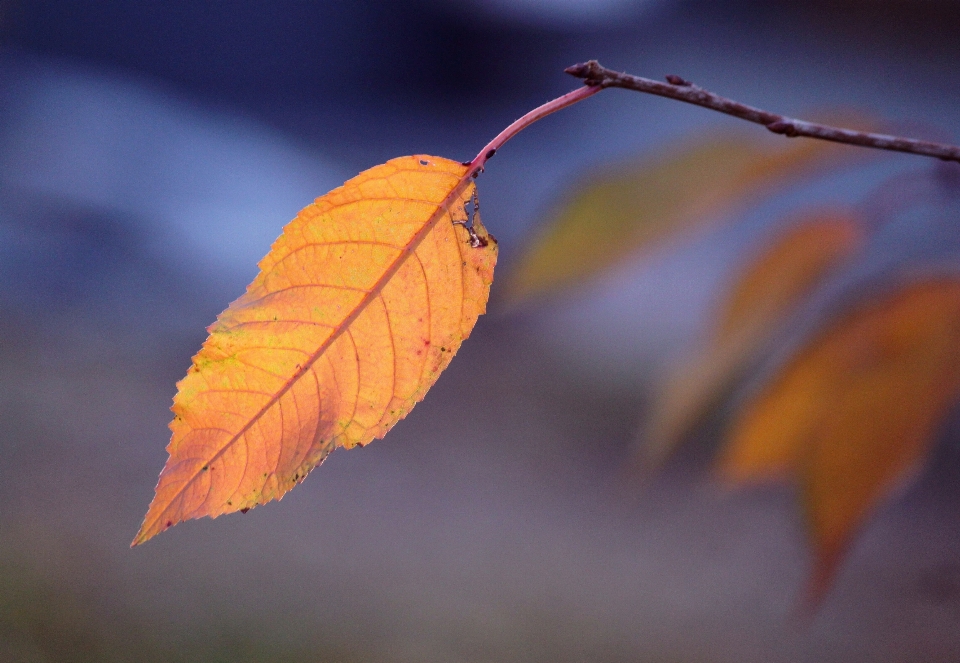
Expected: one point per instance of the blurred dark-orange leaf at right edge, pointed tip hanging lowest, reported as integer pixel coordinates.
(881, 426)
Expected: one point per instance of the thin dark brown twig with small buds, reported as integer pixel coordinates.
(595, 75)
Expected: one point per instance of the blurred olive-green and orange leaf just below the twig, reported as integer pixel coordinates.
(683, 189)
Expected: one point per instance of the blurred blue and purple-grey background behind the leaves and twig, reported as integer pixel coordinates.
(150, 152)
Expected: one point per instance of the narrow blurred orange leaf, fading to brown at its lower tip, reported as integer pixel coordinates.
(770, 288)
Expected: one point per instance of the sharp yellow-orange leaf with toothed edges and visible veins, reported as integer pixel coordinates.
(358, 307)
